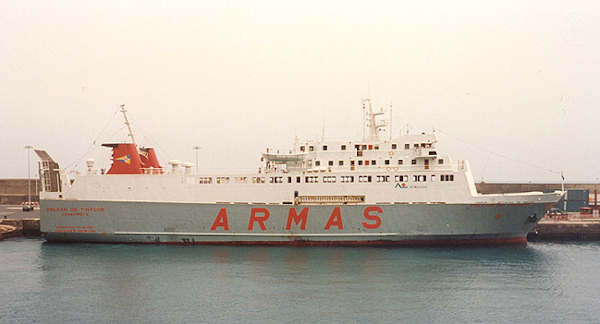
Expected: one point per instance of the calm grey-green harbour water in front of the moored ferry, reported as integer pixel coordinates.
(88, 283)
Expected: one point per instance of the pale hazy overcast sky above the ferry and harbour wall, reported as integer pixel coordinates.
(513, 86)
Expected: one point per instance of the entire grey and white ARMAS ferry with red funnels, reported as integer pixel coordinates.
(369, 192)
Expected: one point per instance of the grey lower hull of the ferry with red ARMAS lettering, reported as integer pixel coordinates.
(192, 223)
